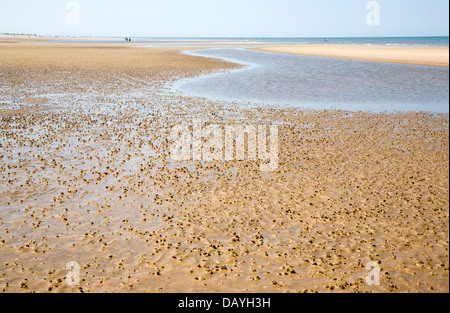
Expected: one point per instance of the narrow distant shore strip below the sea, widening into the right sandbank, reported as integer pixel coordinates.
(435, 56)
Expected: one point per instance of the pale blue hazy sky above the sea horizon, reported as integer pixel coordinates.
(226, 18)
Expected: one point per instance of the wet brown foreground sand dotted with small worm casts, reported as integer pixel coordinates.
(85, 177)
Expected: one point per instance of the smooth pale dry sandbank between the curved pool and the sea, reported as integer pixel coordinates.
(430, 56)
